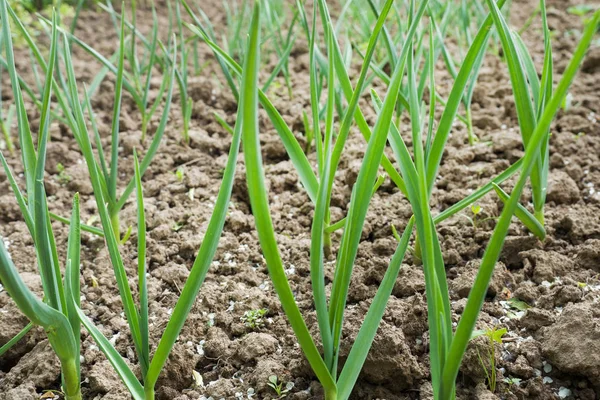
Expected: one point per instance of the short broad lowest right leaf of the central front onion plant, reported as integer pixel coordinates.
(368, 329)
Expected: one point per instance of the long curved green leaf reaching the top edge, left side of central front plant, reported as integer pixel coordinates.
(264, 226)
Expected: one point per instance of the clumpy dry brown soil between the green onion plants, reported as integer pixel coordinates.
(552, 346)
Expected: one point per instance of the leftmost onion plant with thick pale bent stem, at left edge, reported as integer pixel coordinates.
(53, 313)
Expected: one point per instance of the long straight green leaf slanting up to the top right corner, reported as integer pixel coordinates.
(477, 294)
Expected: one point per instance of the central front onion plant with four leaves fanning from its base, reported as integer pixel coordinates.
(328, 315)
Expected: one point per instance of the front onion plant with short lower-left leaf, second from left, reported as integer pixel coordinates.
(137, 315)
